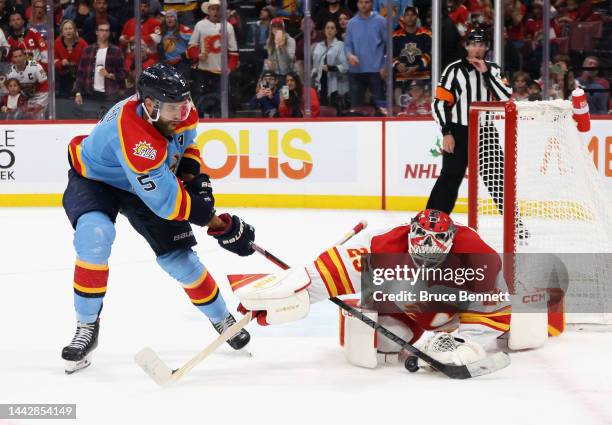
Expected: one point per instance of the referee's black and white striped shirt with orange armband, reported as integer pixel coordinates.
(460, 85)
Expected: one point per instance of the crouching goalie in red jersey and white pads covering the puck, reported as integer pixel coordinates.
(429, 238)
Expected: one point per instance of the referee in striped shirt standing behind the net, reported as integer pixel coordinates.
(465, 81)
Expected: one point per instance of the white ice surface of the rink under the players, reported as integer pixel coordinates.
(297, 374)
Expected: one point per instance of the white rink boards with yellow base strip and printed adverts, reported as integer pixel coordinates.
(325, 163)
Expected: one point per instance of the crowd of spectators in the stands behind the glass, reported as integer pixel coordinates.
(94, 53)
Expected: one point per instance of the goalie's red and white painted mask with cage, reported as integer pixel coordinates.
(430, 238)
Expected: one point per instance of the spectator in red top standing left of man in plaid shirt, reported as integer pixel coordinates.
(68, 50)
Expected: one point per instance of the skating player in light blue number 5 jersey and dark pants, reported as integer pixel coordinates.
(141, 160)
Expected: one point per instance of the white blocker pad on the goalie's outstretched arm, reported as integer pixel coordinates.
(281, 295)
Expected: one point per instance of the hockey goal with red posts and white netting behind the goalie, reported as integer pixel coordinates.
(534, 188)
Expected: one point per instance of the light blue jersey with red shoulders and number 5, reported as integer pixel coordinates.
(127, 152)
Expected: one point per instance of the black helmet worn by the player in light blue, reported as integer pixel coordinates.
(163, 83)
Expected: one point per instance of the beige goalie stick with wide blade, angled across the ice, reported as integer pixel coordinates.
(159, 371)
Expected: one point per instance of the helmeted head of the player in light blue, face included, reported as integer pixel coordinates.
(168, 89)
